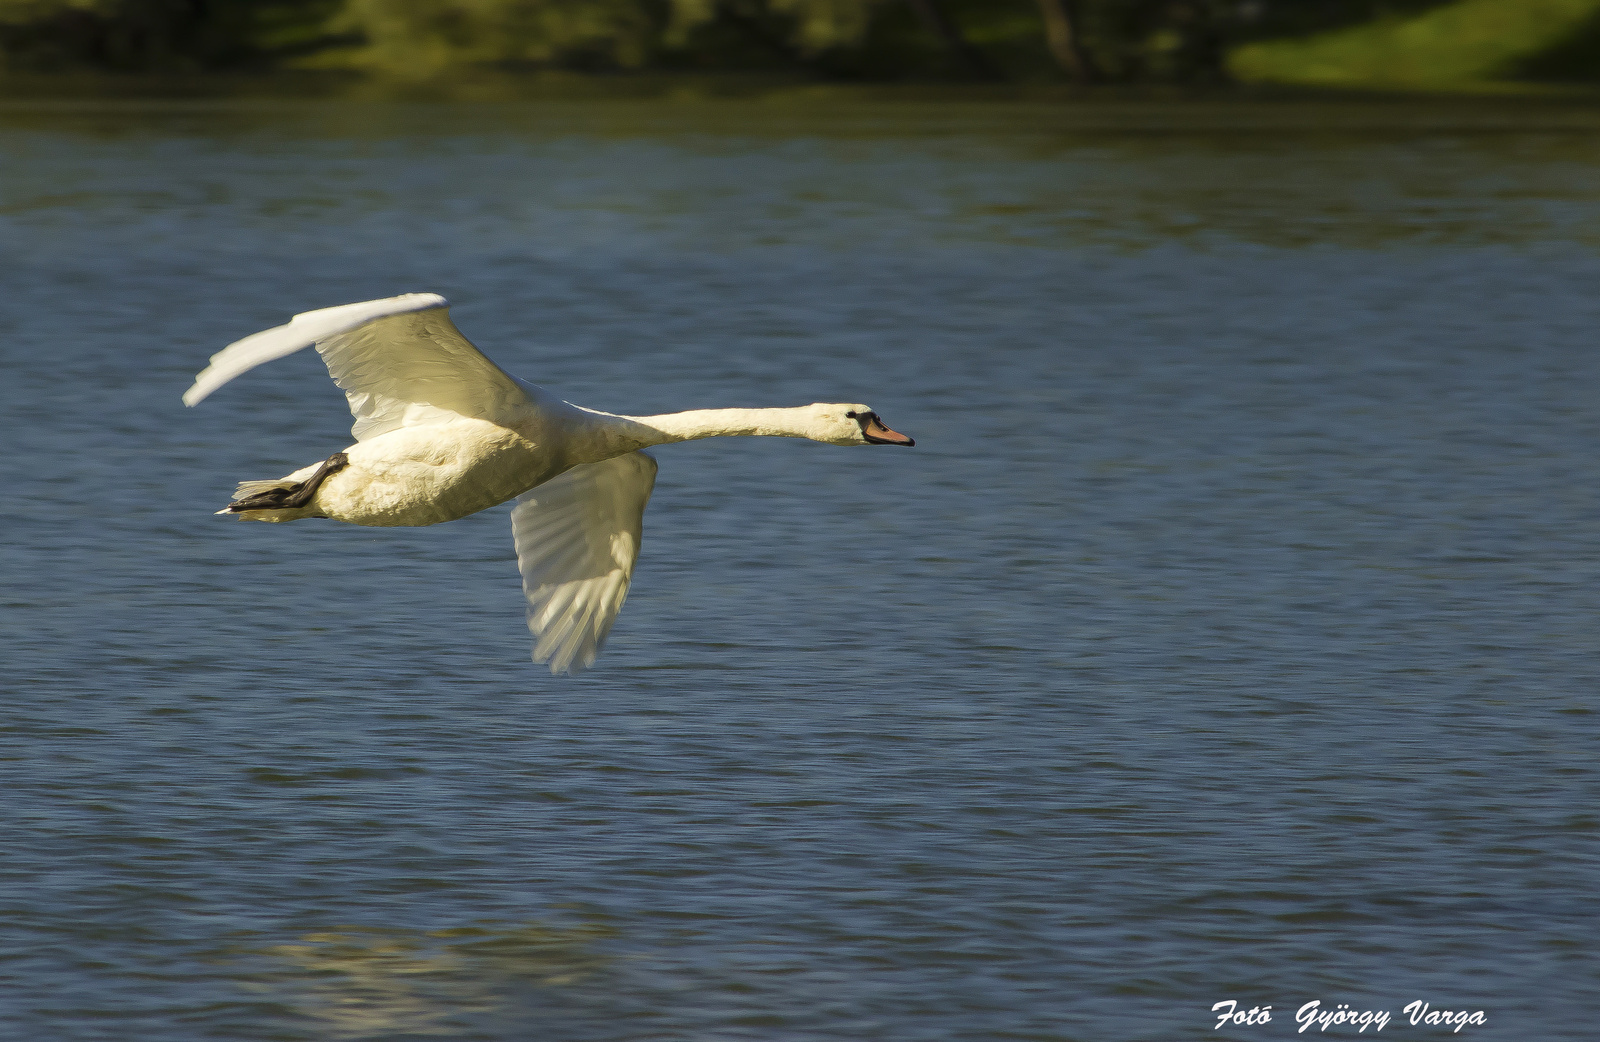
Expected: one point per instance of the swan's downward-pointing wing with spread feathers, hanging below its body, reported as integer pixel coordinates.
(577, 543)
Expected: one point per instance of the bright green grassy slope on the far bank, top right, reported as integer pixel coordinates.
(1463, 46)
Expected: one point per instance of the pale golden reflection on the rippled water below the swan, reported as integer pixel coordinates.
(367, 982)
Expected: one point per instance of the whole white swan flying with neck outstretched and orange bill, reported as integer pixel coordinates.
(442, 433)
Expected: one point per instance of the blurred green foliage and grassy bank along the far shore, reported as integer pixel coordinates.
(1433, 44)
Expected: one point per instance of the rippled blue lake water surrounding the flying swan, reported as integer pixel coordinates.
(1230, 635)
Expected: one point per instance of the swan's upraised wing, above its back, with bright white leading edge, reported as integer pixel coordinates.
(386, 356)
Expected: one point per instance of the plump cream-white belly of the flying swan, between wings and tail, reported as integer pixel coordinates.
(433, 473)
